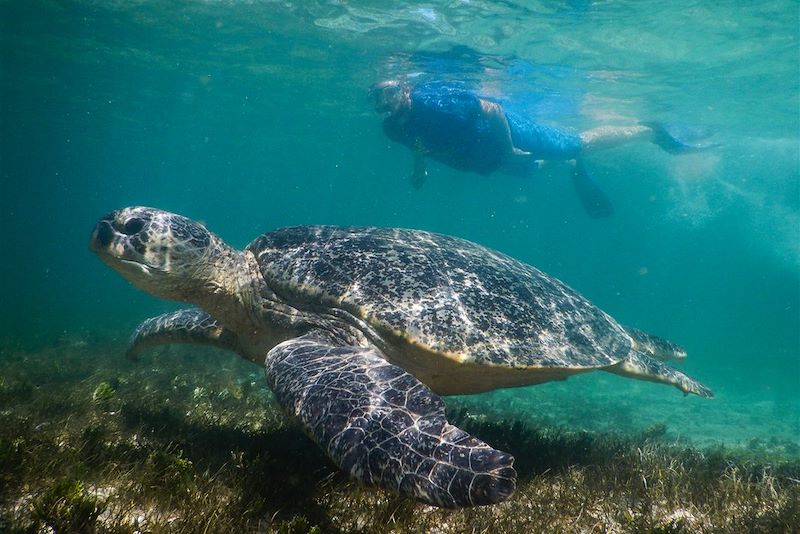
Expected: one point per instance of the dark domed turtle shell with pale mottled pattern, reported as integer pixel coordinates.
(451, 296)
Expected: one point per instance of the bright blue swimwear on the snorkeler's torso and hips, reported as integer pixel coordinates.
(445, 121)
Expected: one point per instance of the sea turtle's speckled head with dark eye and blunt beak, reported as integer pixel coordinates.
(162, 253)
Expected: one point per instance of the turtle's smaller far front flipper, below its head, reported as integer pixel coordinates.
(191, 326)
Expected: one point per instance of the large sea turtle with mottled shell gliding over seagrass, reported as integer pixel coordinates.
(363, 327)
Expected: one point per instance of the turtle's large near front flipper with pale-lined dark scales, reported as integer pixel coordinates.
(382, 426)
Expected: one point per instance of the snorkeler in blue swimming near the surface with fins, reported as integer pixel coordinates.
(467, 132)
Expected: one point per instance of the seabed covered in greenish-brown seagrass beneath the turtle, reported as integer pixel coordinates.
(191, 440)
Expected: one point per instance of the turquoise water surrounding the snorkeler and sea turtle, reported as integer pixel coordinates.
(254, 115)
